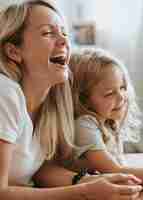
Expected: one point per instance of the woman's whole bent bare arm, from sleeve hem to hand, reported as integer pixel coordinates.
(97, 189)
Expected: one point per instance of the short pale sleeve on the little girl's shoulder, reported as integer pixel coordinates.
(87, 136)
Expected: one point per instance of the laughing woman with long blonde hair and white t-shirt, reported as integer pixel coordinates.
(36, 109)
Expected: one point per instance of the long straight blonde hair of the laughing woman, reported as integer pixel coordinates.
(54, 126)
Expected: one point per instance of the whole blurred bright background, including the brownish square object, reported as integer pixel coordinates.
(116, 25)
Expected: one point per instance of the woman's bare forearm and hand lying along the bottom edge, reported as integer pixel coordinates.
(101, 189)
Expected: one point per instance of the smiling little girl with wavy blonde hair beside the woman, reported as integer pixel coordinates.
(105, 110)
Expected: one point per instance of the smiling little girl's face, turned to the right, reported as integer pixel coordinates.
(109, 97)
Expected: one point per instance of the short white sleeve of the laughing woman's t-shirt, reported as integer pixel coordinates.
(10, 113)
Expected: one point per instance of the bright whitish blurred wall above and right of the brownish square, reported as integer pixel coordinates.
(119, 29)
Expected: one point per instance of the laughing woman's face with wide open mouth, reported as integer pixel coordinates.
(45, 47)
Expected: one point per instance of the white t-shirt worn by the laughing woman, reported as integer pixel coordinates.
(16, 127)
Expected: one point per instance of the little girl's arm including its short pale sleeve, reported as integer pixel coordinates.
(97, 158)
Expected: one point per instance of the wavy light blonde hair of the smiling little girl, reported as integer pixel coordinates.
(86, 67)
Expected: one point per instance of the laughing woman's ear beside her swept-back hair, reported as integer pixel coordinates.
(13, 52)
